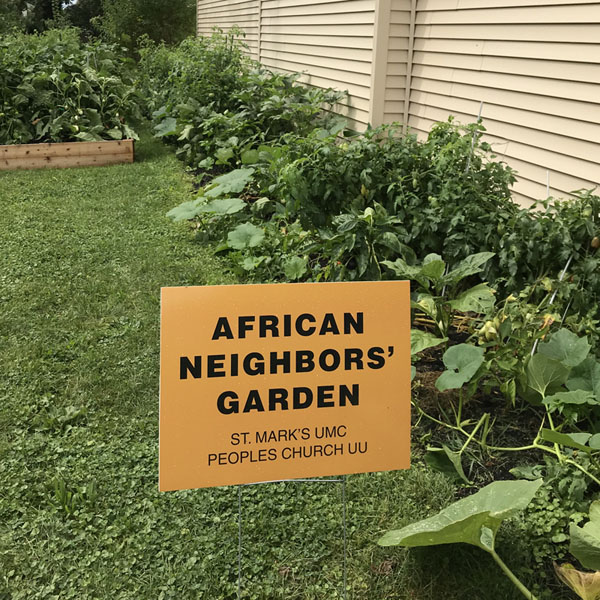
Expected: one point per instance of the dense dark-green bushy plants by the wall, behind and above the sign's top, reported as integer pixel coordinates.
(424, 184)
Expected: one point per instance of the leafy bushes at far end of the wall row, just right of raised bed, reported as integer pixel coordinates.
(217, 106)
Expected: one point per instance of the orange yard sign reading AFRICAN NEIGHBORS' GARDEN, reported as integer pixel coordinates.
(267, 382)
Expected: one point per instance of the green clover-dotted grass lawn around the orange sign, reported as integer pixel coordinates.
(83, 254)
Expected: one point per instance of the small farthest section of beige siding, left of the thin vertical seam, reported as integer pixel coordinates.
(227, 13)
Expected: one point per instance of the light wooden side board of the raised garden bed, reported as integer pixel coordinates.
(66, 154)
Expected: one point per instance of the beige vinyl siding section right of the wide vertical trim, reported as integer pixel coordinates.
(535, 66)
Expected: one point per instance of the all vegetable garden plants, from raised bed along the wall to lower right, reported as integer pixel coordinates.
(506, 381)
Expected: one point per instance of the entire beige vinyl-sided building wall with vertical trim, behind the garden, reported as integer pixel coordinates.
(534, 64)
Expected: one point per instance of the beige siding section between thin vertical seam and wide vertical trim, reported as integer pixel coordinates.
(330, 42)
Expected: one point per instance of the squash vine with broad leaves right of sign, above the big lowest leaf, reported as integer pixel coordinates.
(561, 378)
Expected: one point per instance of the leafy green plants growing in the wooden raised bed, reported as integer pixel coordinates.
(54, 88)
